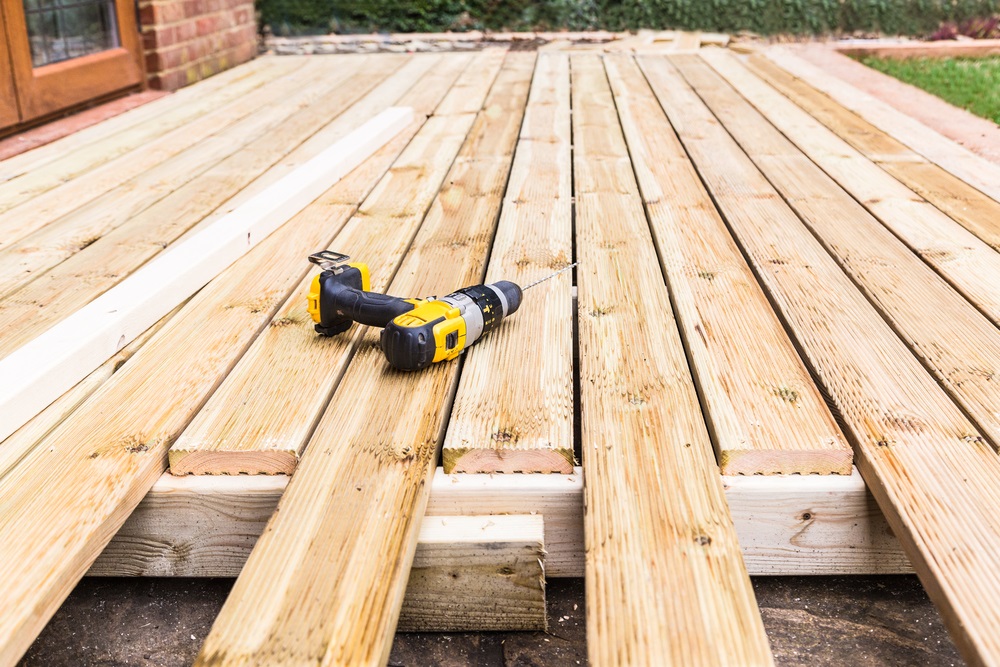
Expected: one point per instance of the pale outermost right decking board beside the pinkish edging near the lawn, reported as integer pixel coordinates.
(973, 169)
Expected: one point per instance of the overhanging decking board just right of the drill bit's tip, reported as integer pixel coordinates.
(658, 531)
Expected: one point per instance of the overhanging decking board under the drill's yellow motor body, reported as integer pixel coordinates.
(346, 528)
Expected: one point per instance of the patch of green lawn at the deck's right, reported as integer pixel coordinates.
(970, 83)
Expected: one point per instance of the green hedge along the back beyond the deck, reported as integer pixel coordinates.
(766, 17)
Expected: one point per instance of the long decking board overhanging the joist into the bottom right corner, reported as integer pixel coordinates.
(931, 472)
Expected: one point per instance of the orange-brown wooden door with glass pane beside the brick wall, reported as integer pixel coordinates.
(67, 52)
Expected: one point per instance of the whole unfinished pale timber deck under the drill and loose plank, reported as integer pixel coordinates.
(772, 286)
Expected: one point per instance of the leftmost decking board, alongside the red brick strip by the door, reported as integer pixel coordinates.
(25, 177)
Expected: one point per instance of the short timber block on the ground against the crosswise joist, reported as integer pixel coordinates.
(473, 572)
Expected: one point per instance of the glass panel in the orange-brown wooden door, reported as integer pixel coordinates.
(64, 29)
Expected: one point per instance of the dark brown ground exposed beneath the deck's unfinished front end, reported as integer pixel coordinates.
(857, 621)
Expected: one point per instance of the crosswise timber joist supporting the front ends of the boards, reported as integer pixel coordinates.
(206, 526)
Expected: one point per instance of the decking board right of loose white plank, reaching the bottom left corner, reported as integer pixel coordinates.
(62, 504)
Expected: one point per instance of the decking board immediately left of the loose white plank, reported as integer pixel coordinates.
(93, 270)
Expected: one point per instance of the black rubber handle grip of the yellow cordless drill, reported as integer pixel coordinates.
(342, 302)
